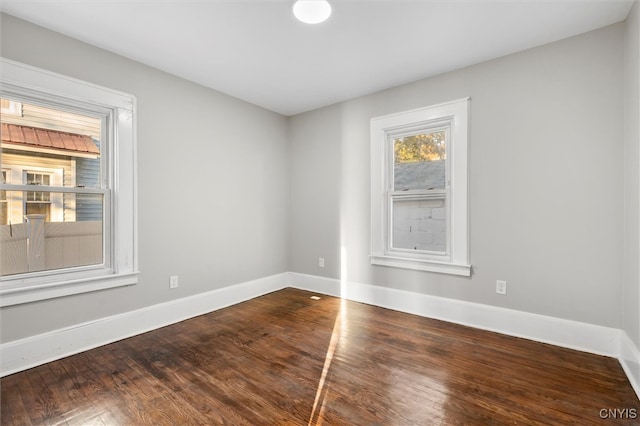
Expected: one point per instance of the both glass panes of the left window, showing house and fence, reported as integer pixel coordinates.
(47, 148)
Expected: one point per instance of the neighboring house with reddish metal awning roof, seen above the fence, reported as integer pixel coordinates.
(46, 147)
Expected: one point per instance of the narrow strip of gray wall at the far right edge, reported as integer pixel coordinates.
(631, 289)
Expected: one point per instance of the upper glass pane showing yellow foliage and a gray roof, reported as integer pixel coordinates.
(419, 161)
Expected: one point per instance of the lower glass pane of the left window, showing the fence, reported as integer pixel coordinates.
(46, 240)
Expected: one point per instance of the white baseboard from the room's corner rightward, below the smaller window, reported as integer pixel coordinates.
(584, 337)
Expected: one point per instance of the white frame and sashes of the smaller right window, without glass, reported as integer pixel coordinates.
(453, 115)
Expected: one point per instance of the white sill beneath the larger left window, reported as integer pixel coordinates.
(25, 294)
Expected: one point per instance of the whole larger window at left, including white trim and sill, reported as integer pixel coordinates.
(66, 227)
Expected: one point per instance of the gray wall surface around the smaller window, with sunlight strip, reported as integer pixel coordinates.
(546, 198)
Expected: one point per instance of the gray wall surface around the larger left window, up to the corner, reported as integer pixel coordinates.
(213, 183)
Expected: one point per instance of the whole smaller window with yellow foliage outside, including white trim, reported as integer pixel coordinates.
(419, 216)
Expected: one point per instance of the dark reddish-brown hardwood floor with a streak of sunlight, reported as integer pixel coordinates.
(285, 359)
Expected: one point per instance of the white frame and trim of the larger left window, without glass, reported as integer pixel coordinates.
(119, 183)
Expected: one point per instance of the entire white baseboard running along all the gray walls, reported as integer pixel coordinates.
(36, 350)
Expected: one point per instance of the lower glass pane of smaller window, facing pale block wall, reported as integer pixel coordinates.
(419, 225)
